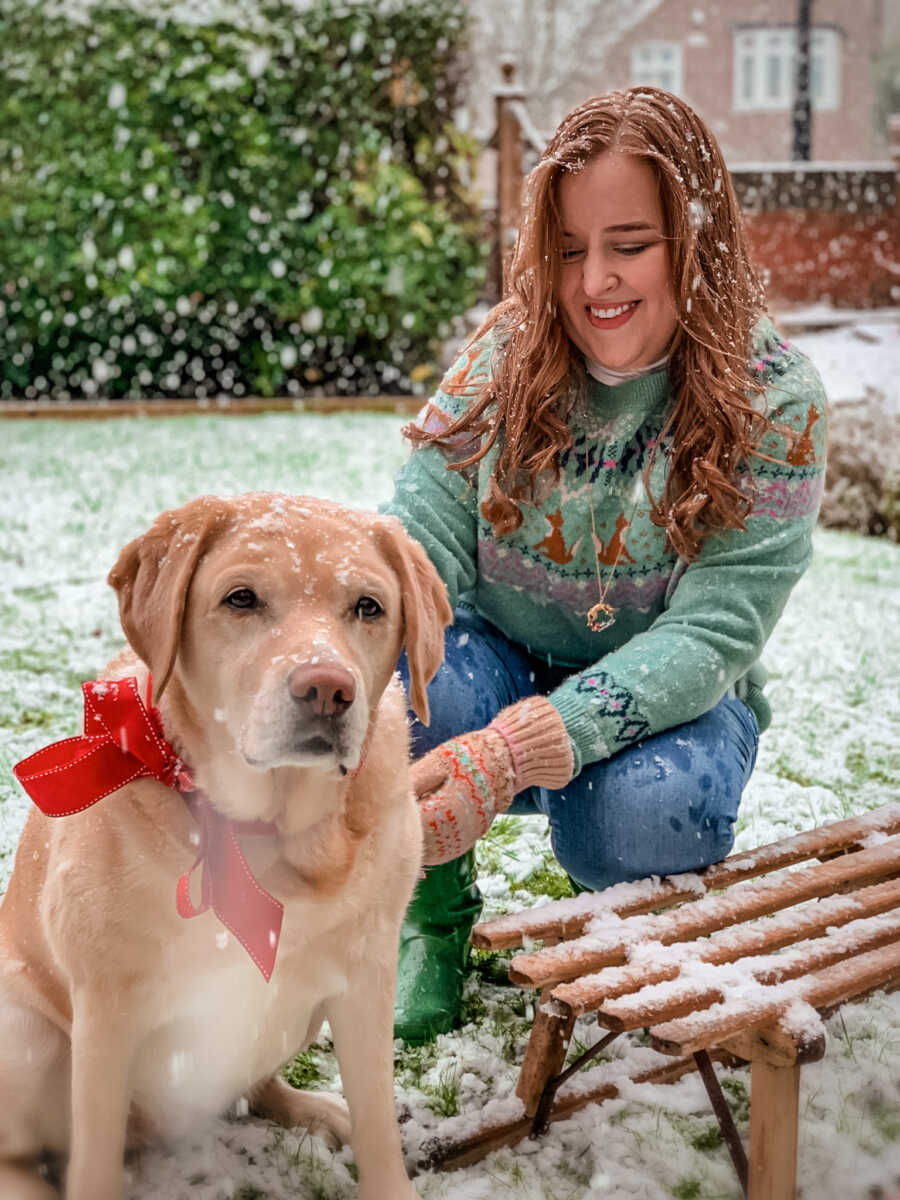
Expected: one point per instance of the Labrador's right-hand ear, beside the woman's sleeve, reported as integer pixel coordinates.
(427, 610)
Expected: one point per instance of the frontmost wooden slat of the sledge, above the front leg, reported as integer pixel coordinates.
(832, 986)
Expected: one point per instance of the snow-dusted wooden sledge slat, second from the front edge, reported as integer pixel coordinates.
(671, 1000)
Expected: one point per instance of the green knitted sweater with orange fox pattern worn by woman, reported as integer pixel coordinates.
(685, 634)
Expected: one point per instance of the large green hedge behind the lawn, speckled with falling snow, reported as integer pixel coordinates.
(196, 209)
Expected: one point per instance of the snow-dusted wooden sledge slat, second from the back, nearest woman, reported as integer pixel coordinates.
(703, 917)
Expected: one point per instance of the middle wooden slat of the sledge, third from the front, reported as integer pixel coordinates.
(769, 934)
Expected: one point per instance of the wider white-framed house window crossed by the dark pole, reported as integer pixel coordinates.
(765, 64)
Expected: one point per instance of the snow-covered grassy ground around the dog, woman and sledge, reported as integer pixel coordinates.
(76, 493)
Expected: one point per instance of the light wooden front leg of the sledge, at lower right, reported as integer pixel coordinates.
(775, 1109)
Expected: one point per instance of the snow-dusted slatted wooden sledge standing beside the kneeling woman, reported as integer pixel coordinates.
(737, 963)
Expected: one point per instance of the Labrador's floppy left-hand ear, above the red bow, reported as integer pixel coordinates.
(153, 578)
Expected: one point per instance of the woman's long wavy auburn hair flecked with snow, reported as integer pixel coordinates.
(713, 427)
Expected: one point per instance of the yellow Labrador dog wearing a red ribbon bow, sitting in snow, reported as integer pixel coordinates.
(272, 626)
